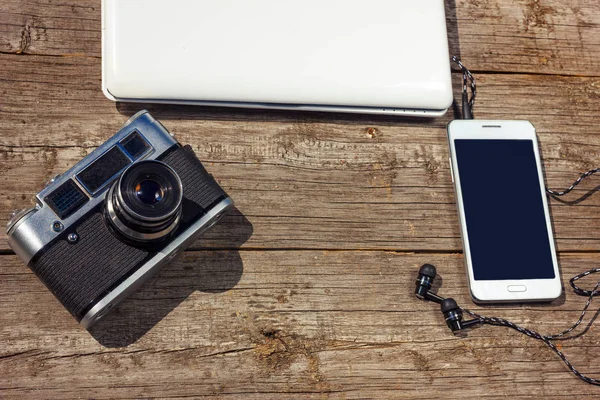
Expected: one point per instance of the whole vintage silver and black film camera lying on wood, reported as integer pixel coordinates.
(109, 223)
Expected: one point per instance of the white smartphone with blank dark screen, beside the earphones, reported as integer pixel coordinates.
(503, 210)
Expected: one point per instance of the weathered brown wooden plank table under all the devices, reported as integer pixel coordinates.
(306, 290)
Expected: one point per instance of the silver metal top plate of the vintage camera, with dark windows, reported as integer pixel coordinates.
(31, 230)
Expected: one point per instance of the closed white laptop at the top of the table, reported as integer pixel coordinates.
(363, 56)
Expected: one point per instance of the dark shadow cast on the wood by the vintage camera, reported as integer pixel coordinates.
(204, 267)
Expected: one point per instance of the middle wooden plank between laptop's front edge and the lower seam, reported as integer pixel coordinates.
(305, 180)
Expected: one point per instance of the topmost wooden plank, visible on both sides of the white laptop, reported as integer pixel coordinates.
(537, 36)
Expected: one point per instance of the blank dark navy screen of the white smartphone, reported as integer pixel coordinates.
(504, 210)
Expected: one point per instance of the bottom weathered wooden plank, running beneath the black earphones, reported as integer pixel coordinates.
(293, 324)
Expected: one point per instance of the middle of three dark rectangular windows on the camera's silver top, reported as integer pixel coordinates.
(101, 171)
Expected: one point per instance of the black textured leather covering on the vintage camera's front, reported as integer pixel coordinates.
(81, 274)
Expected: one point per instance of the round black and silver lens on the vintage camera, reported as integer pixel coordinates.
(145, 203)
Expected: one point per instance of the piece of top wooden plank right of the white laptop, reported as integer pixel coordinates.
(536, 36)
